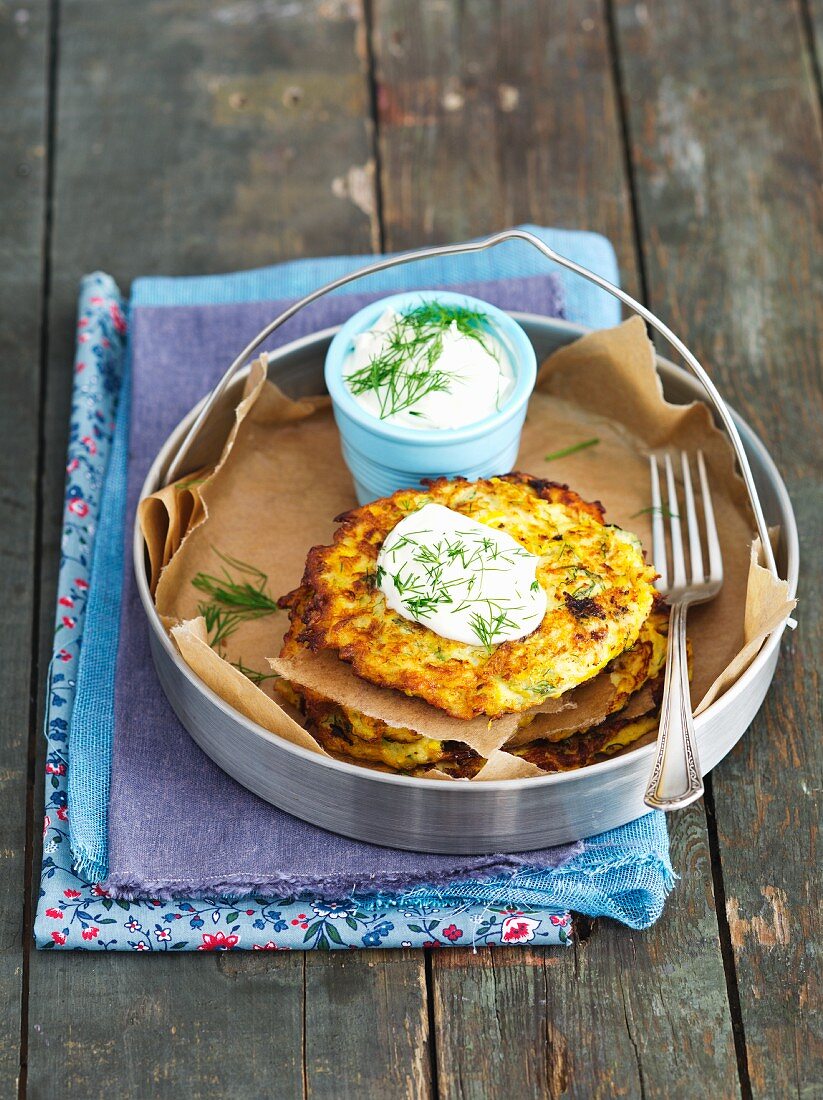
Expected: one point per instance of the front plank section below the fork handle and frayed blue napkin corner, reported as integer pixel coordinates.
(624, 1015)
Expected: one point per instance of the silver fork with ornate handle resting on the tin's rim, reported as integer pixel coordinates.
(676, 780)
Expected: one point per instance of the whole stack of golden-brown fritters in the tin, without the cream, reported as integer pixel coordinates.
(602, 621)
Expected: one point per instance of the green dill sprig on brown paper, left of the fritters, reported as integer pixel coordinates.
(236, 596)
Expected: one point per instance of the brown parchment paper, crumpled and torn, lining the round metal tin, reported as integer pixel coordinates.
(281, 481)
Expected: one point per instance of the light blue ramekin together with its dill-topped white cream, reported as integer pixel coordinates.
(411, 406)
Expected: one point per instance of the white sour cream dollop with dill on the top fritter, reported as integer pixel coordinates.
(464, 580)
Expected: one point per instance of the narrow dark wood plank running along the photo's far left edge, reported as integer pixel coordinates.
(25, 30)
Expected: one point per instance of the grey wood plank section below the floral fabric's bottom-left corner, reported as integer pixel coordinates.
(156, 1027)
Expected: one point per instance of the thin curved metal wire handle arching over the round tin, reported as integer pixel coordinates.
(178, 467)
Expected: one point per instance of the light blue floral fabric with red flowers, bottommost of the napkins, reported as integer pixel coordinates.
(74, 914)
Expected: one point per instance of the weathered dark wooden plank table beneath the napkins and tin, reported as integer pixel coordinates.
(190, 137)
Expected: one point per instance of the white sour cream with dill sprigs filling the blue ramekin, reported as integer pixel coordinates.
(429, 375)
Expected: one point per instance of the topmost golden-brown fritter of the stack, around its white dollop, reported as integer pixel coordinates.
(598, 586)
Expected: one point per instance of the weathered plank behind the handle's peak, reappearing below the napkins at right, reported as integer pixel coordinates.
(491, 115)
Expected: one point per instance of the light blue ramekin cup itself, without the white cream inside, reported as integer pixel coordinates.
(387, 457)
